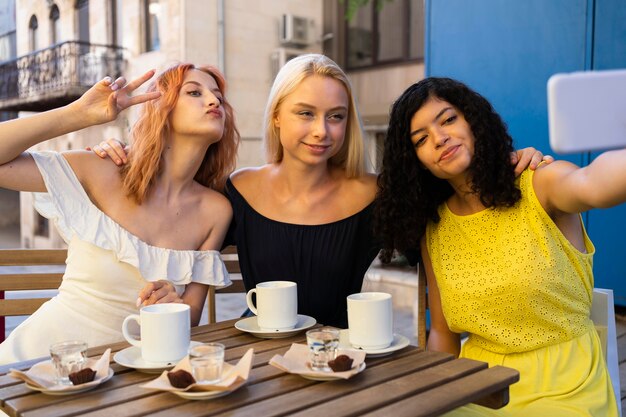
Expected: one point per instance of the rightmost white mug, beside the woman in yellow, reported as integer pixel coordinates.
(370, 320)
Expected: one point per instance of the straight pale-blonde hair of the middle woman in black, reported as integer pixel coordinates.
(351, 155)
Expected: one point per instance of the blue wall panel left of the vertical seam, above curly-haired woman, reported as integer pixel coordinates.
(507, 50)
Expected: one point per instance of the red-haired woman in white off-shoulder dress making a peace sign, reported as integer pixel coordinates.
(138, 234)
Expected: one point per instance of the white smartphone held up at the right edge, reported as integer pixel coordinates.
(587, 111)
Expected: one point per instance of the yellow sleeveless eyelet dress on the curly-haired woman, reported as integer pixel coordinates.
(523, 292)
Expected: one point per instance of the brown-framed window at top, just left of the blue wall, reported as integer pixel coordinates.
(392, 34)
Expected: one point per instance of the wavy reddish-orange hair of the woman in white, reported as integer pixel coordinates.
(153, 127)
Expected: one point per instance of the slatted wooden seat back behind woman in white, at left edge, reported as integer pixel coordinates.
(18, 276)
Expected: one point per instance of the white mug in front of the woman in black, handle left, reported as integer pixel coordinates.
(276, 304)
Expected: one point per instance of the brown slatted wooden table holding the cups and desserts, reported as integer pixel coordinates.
(409, 382)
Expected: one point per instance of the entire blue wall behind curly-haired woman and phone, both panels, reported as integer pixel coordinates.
(507, 50)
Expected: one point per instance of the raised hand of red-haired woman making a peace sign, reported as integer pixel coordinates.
(106, 99)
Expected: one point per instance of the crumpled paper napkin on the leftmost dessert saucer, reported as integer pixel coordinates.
(42, 374)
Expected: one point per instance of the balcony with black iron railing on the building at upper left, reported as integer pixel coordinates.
(56, 76)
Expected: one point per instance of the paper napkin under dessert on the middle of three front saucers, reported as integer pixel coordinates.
(232, 377)
